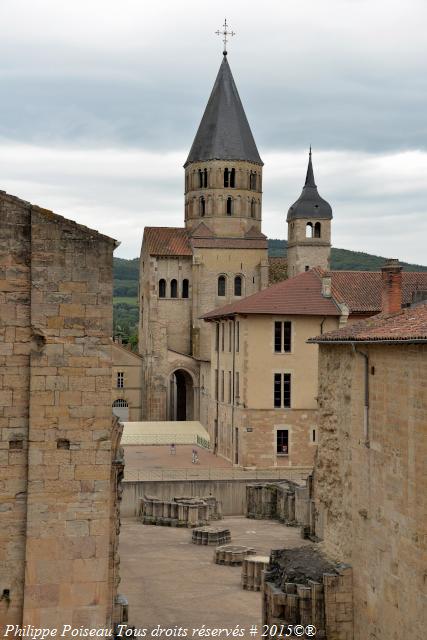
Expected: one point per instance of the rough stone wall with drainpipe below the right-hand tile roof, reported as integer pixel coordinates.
(371, 485)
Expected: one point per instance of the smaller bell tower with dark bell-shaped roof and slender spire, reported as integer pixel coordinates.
(309, 229)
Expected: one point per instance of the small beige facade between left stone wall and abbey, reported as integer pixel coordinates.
(126, 383)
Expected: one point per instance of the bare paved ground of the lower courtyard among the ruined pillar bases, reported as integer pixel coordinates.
(172, 582)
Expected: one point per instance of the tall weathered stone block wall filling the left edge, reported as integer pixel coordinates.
(59, 487)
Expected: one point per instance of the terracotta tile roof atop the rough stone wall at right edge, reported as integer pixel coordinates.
(407, 325)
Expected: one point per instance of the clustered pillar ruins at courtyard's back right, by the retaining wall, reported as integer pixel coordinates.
(285, 501)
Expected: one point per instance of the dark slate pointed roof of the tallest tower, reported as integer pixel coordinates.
(224, 132)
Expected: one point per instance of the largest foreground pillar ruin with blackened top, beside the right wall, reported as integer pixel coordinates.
(301, 587)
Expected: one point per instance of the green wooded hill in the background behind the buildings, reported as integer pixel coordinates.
(126, 275)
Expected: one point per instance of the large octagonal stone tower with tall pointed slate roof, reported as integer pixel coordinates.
(223, 171)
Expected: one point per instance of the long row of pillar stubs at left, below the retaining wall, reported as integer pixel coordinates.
(179, 512)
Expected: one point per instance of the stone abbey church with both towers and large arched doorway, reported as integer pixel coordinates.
(220, 255)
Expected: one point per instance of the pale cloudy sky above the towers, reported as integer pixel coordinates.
(100, 101)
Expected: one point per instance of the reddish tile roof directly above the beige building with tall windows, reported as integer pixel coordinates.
(300, 295)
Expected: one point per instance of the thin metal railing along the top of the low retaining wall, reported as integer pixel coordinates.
(297, 474)
